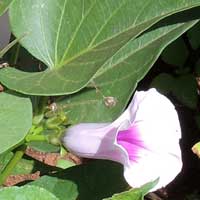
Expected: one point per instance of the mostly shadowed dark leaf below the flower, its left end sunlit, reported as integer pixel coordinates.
(85, 182)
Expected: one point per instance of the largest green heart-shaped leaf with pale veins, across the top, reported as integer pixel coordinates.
(74, 38)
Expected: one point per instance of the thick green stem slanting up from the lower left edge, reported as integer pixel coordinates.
(12, 163)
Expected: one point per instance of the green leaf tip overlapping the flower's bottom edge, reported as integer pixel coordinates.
(134, 194)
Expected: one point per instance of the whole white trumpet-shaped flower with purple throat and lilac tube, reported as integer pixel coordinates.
(144, 139)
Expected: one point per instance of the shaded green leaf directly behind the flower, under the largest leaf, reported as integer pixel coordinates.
(119, 76)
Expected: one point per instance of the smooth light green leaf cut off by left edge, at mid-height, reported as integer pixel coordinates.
(15, 119)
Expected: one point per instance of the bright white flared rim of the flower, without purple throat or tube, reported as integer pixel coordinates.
(158, 125)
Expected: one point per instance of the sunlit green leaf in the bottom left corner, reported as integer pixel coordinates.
(26, 192)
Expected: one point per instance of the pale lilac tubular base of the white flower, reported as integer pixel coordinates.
(91, 140)
